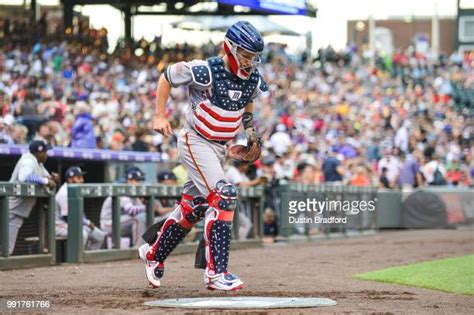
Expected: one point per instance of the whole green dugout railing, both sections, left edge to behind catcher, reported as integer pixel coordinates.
(77, 194)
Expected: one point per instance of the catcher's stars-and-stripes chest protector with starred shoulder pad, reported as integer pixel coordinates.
(219, 117)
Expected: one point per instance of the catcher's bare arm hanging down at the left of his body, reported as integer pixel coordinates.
(163, 90)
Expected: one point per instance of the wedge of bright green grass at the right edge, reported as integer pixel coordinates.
(454, 275)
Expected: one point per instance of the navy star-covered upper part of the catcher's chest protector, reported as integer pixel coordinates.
(229, 92)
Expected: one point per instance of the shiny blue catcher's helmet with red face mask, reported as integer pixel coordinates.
(243, 44)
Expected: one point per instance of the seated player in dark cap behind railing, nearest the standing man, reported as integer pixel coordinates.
(92, 236)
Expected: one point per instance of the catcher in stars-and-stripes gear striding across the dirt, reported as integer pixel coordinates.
(221, 92)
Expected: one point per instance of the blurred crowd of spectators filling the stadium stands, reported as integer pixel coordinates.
(403, 121)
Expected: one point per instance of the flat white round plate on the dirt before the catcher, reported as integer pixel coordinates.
(242, 302)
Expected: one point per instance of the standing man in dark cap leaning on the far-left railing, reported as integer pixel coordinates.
(29, 169)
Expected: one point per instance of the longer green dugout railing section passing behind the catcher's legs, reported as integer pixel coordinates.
(77, 194)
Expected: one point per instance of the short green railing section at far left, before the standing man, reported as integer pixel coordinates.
(46, 226)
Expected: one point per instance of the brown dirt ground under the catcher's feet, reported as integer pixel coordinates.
(317, 269)
